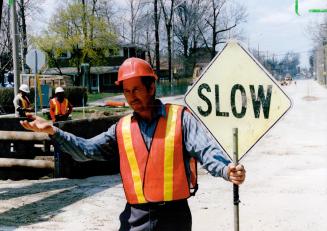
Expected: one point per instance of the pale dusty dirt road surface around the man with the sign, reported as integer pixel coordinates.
(285, 190)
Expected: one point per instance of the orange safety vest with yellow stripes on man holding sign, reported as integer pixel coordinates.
(157, 174)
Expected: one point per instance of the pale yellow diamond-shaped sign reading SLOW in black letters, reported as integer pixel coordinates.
(235, 91)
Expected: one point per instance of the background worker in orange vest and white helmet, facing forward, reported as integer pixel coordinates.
(60, 108)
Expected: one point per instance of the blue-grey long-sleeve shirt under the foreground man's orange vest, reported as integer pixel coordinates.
(197, 142)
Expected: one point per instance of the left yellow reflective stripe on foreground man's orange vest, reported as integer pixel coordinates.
(127, 137)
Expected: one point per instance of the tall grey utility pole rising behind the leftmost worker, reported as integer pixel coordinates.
(14, 46)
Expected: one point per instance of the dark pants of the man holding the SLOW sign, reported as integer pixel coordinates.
(168, 216)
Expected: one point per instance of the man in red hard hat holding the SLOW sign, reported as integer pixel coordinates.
(156, 146)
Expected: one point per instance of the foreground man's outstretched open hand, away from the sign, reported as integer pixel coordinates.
(38, 125)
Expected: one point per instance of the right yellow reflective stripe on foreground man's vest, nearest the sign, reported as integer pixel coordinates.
(169, 153)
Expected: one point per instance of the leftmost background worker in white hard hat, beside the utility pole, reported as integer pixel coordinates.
(21, 101)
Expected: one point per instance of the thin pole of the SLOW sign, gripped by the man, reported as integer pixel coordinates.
(235, 186)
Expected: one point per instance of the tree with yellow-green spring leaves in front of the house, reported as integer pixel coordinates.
(78, 29)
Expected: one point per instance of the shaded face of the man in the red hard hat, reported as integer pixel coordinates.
(136, 94)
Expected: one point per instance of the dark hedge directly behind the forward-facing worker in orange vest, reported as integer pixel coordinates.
(75, 95)
